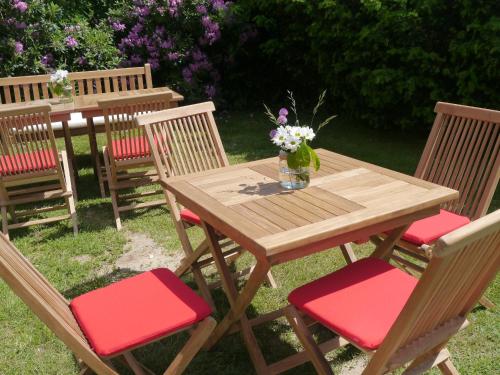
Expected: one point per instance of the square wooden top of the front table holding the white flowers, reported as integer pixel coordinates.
(246, 202)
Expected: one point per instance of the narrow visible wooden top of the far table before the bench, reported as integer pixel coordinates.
(87, 103)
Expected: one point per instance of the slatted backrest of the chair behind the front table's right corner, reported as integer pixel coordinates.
(463, 153)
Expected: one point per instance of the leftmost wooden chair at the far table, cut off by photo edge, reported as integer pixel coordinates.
(30, 168)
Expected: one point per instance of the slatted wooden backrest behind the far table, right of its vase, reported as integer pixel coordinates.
(113, 80)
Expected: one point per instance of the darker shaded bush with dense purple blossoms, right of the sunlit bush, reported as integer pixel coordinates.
(177, 37)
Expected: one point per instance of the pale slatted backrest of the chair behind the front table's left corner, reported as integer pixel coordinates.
(184, 140)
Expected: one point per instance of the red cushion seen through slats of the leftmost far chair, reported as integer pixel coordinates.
(27, 162)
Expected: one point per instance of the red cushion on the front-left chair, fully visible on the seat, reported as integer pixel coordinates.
(137, 310)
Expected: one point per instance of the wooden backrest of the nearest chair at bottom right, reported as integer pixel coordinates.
(462, 265)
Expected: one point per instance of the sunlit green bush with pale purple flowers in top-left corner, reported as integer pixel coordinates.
(35, 37)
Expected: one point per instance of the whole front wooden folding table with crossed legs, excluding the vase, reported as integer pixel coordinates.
(346, 200)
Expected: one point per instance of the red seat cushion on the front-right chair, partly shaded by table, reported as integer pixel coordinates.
(359, 302)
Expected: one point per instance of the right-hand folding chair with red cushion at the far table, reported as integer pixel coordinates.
(127, 154)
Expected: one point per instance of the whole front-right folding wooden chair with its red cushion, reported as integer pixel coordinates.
(390, 314)
